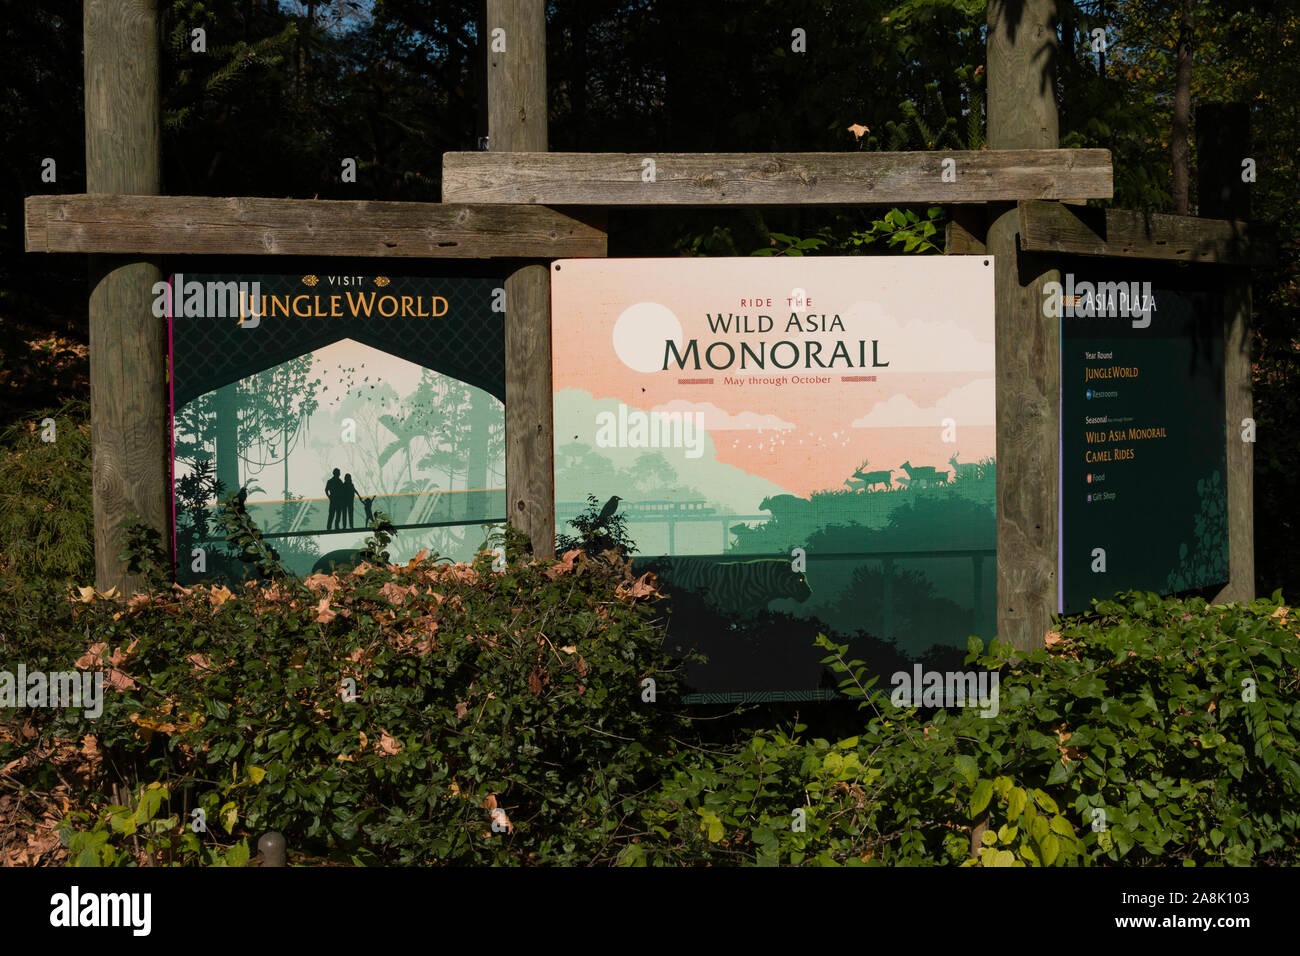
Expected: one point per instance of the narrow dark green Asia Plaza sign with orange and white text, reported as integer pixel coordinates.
(1143, 442)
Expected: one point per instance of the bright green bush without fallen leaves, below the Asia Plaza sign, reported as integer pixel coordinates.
(1151, 732)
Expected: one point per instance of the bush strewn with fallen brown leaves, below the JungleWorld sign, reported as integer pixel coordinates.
(482, 698)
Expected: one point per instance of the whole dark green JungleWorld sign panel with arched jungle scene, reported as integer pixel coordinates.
(327, 399)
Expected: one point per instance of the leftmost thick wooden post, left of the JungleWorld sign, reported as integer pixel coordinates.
(127, 341)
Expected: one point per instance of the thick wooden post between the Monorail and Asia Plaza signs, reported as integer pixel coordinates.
(1022, 115)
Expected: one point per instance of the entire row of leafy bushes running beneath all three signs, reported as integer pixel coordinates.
(1150, 732)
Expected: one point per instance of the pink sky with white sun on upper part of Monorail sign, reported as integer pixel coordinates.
(931, 317)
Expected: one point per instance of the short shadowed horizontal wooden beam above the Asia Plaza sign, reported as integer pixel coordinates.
(1090, 232)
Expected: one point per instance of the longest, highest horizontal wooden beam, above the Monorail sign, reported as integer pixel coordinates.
(708, 179)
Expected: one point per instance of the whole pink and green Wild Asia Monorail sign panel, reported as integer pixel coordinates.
(799, 445)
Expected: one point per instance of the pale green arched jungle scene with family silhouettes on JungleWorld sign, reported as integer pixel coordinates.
(318, 445)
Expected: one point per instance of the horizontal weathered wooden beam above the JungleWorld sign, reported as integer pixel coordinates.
(201, 226)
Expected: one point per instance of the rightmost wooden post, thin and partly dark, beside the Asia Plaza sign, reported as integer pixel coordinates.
(1224, 136)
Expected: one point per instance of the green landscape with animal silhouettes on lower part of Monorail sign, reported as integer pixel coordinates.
(899, 564)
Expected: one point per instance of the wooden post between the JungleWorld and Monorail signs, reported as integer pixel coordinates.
(517, 123)
